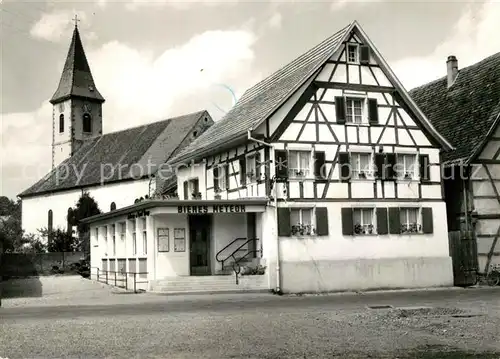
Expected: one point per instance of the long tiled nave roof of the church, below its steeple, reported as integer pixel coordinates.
(124, 155)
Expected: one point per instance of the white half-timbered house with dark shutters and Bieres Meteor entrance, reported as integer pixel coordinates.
(326, 174)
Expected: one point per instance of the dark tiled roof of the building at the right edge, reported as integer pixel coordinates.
(467, 112)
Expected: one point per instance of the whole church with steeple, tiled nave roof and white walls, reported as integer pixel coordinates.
(114, 168)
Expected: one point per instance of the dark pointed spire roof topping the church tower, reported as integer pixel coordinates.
(76, 79)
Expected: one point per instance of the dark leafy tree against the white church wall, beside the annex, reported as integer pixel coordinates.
(85, 207)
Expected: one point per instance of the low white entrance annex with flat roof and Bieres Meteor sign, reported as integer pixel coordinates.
(170, 241)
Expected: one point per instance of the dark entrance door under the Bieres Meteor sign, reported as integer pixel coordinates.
(199, 237)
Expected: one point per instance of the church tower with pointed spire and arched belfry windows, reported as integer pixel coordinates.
(77, 105)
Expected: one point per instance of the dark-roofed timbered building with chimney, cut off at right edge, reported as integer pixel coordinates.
(464, 106)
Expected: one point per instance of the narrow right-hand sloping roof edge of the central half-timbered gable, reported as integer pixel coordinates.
(399, 86)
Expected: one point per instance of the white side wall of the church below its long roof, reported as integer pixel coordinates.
(35, 209)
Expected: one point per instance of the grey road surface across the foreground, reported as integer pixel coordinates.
(257, 326)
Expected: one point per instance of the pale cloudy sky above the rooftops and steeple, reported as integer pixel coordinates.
(155, 59)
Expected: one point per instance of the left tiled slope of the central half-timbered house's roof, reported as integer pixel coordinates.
(258, 102)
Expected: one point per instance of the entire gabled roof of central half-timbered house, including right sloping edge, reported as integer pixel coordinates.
(263, 99)
